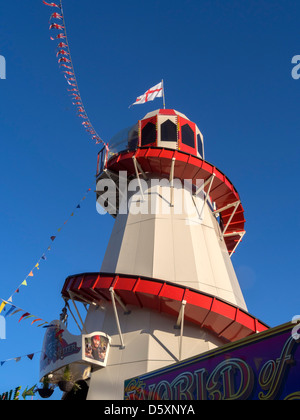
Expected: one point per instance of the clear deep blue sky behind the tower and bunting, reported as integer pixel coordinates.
(226, 65)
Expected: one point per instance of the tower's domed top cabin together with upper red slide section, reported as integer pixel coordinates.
(166, 144)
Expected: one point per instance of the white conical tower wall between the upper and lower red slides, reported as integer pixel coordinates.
(180, 248)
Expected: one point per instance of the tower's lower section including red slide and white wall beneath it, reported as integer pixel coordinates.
(152, 324)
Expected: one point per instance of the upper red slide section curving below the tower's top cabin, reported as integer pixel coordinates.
(158, 161)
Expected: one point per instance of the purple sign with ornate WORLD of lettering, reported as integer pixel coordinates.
(265, 366)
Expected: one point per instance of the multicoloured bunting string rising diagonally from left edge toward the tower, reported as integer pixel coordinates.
(44, 255)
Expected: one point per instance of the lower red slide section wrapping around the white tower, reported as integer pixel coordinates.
(222, 318)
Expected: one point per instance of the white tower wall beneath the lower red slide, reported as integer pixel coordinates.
(146, 347)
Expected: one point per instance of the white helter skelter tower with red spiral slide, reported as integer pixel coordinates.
(167, 289)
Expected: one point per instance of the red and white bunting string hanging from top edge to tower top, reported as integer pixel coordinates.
(65, 62)
